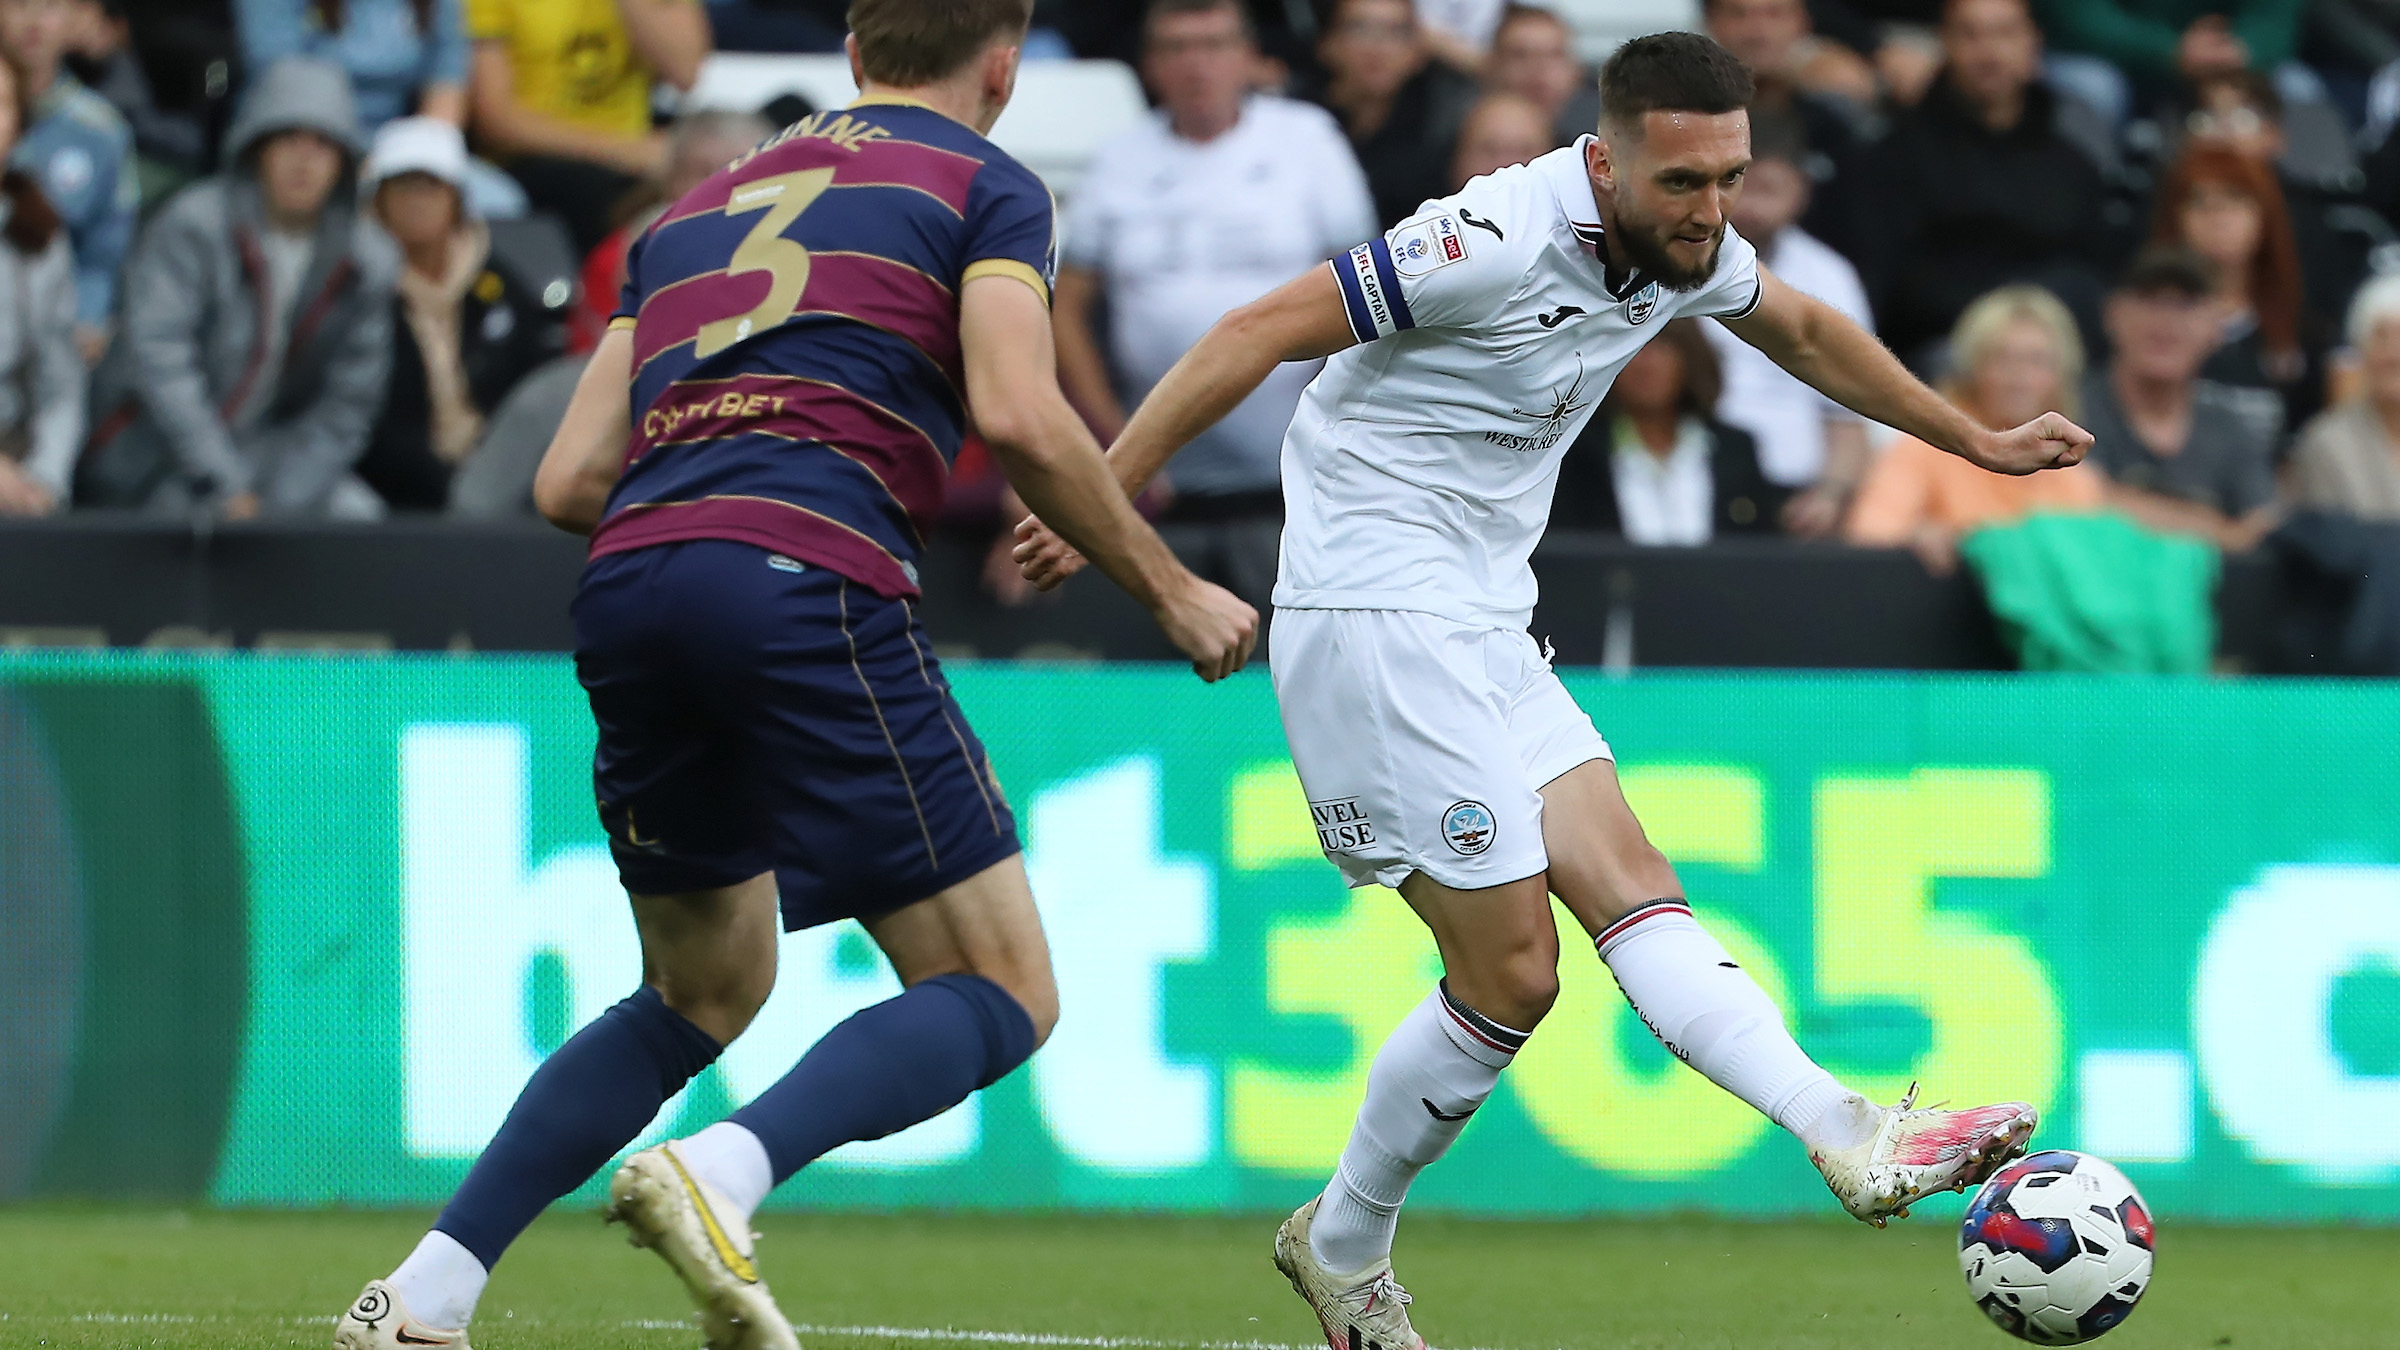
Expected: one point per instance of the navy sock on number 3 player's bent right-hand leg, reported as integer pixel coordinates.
(889, 1068)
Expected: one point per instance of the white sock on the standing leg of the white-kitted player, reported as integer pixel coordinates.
(1436, 1068)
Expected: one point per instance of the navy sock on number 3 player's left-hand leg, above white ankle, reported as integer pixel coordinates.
(580, 1109)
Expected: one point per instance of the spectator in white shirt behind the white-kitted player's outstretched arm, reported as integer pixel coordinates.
(1806, 443)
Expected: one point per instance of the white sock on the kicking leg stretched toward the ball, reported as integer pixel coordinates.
(1717, 1020)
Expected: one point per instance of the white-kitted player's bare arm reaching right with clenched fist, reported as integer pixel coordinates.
(1847, 364)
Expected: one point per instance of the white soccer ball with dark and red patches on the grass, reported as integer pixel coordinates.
(2058, 1248)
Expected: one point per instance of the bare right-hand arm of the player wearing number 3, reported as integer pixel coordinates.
(1055, 465)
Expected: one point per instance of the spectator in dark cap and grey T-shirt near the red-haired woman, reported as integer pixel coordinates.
(2180, 453)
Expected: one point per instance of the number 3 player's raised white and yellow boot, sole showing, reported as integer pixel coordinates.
(676, 1214)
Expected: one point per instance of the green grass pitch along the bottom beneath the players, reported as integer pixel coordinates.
(121, 1279)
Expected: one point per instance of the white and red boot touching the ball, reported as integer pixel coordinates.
(1924, 1152)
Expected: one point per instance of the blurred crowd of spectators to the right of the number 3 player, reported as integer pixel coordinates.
(2152, 215)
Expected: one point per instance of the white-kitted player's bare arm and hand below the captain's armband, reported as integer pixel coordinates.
(1300, 321)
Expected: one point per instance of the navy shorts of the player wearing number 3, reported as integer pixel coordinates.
(760, 715)
